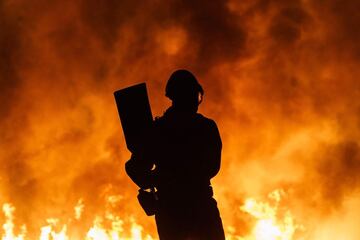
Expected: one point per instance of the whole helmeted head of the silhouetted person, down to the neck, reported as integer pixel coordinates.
(184, 90)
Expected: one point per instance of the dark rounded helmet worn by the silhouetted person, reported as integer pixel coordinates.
(181, 84)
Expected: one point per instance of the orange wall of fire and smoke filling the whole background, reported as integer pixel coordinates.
(281, 79)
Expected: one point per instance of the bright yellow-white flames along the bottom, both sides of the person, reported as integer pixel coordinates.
(269, 224)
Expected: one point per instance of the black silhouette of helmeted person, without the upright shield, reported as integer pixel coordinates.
(183, 155)
